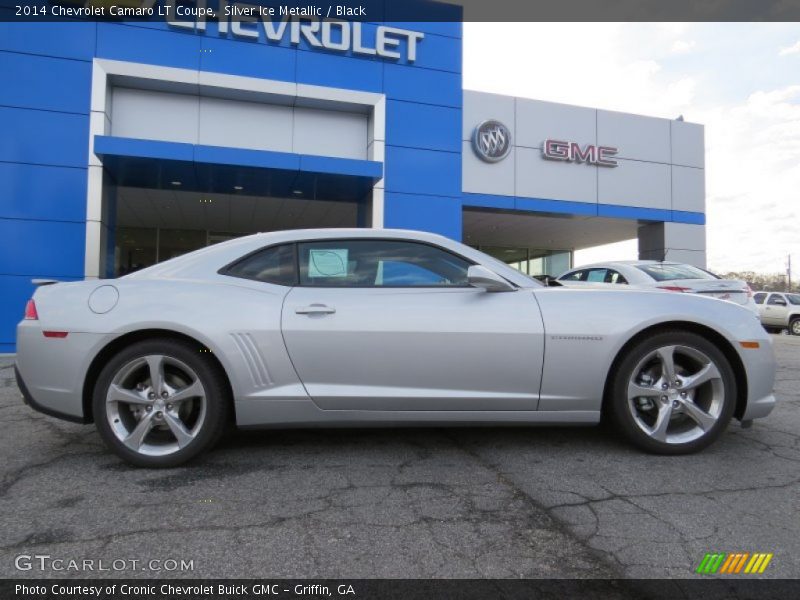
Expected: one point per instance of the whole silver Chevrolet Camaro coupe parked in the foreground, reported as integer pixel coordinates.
(339, 327)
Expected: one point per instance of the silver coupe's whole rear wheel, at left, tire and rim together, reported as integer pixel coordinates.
(159, 403)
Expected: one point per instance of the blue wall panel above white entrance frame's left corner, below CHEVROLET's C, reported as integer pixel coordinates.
(152, 46)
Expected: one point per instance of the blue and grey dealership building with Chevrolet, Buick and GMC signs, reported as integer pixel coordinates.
(125, 144)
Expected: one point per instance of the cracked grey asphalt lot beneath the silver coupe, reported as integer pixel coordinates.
(396, 503)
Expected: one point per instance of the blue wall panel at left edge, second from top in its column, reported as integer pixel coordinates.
(31, 81)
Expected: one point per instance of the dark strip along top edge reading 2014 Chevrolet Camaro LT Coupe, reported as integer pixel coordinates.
(406, 10)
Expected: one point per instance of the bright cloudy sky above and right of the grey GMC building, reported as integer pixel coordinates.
(741, 80)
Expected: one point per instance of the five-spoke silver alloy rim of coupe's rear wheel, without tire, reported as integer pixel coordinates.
(156, 405)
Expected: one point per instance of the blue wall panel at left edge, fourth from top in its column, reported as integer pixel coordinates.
(40, 192)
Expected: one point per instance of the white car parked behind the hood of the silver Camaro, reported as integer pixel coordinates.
(669, 276)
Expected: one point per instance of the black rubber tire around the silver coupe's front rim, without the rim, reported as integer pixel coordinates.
(617, 403)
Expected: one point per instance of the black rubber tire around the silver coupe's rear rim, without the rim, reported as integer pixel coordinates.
(207, 371)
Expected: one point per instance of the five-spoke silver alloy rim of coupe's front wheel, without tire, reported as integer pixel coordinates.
(676, 394)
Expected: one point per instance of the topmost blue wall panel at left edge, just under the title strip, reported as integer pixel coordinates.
(68, 40)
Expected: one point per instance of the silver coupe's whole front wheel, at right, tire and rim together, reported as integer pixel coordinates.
(673, 393)
